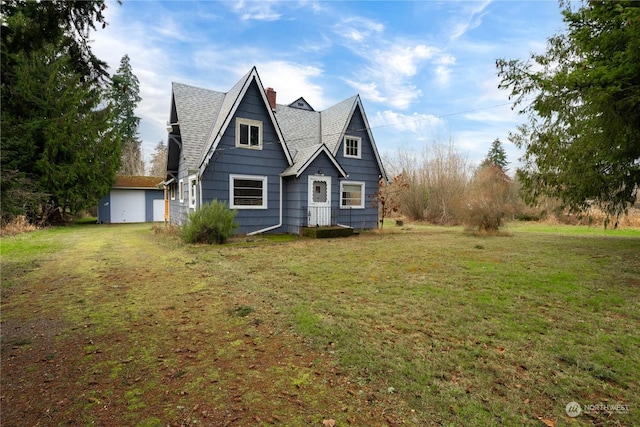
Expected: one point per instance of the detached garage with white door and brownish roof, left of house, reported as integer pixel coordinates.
(133, 199)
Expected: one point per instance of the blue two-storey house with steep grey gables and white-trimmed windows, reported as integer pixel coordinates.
(282, 167)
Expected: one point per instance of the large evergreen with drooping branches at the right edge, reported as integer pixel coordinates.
(582, 139)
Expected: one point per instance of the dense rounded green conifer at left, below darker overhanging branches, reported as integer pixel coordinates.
(60, 138)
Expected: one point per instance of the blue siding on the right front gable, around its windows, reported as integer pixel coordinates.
(364, 169)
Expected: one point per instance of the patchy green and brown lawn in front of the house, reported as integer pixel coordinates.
(447, 328)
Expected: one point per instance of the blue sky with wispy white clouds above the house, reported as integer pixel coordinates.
(425, 70)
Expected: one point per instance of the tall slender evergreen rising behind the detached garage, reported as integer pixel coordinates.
(124, 94)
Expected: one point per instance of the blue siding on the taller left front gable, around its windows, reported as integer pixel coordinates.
(270, 161)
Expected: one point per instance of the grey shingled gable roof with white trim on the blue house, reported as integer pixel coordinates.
(303, 133)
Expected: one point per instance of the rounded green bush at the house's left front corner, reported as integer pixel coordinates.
(213, 223)
